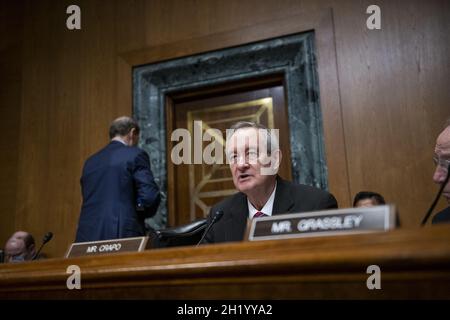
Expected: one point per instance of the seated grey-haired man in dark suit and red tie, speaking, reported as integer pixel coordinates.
(254, 157)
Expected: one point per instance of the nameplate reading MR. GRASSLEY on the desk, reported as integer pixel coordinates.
(323, 223)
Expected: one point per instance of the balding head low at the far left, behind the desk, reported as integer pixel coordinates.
(20, 247)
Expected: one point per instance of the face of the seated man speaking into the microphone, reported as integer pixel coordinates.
(246, 161)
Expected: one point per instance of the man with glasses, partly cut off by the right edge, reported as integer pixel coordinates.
(442, 162)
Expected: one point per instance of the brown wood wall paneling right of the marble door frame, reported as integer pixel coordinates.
(394, 98)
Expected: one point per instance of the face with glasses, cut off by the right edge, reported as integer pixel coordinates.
(442, 152)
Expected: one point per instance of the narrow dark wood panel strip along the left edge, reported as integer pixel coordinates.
(11, 25)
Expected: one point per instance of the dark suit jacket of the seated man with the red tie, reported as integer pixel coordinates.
(289, 197)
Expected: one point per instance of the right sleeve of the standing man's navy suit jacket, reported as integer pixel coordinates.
(147, 192)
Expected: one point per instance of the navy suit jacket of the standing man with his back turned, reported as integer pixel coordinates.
(119, 192)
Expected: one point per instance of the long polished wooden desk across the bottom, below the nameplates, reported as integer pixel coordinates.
(414, 264)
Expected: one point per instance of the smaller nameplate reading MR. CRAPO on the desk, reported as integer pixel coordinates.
(93, 248)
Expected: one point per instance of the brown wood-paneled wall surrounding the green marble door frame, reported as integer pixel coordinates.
(60, 90)
